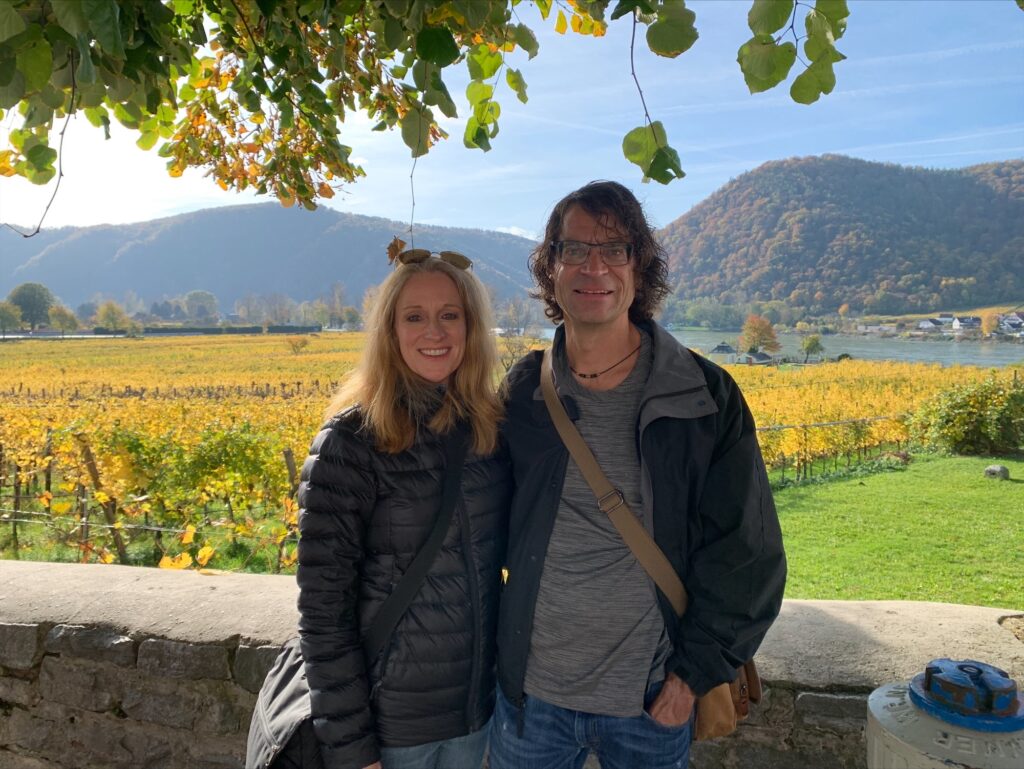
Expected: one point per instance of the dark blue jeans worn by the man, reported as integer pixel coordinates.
(557, 738)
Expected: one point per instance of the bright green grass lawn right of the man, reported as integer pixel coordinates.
(937, 531)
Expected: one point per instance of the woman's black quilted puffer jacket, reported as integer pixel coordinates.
(365, 517)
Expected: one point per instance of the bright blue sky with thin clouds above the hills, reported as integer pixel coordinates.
(934, 83)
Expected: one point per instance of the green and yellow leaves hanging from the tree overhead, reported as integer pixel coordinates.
(258, 92)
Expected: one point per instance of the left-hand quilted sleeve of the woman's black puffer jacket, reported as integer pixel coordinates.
(337, 496)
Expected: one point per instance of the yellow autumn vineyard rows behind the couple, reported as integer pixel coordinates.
(184, 453)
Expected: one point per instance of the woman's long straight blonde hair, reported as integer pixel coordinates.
(390, 394)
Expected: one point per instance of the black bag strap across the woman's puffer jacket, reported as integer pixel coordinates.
(456, 447)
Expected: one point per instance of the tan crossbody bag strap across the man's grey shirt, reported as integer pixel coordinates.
(610, 499)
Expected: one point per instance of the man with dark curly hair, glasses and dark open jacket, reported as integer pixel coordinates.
(591, 655)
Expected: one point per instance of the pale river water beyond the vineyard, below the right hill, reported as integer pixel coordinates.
(947, 352)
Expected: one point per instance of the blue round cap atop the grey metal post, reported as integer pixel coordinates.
(969, 694)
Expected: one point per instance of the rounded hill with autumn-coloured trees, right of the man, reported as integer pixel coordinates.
(823, 232)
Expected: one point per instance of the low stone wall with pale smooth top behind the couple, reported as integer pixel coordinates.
(121, 668)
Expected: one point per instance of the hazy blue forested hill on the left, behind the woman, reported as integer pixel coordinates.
(261, 249)
